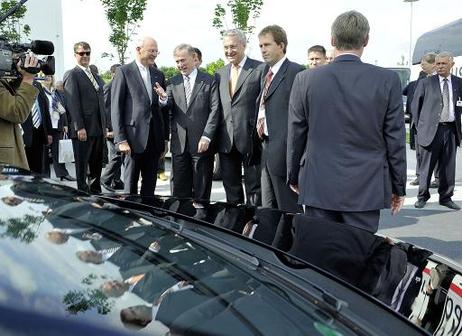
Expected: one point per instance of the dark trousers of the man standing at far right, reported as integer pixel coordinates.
(442, 150)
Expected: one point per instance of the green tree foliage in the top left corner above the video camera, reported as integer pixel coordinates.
(12, 28)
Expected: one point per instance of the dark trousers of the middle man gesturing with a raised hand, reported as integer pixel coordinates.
(193, 175)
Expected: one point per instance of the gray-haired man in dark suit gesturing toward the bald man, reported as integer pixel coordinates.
(192, 97)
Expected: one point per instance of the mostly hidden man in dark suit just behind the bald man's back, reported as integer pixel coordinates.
(112, 172)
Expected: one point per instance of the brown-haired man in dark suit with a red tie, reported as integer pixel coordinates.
(272, 118)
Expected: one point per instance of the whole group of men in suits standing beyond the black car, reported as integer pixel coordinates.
(329, 140)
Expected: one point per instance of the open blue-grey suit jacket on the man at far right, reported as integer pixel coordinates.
(427, 104)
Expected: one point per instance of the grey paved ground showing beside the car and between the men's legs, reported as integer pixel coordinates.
(434, 227)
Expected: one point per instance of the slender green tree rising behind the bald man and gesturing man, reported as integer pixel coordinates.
(123, 17)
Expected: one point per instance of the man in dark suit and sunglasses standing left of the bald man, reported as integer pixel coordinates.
(84, 94)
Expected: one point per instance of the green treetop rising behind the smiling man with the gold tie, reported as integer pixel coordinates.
(241, 12)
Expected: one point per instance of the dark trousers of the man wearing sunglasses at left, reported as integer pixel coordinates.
(89, 158)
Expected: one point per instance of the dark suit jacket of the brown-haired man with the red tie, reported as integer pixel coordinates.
(276, 111)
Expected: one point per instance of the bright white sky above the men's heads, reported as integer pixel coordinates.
(172, 22)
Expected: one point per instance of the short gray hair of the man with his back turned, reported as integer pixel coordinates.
(350, 30)
